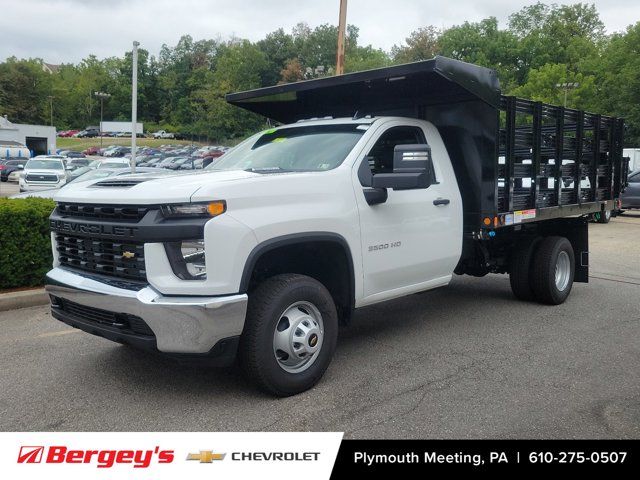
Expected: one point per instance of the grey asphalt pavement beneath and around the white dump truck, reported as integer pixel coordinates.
(464, 361)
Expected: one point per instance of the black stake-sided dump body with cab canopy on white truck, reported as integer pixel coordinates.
(503, 149)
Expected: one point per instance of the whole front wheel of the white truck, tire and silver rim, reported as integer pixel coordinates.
(290, 334)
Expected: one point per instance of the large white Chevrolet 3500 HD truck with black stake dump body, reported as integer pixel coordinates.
(263, 254)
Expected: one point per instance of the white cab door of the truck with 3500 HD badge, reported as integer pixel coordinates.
(412, 240)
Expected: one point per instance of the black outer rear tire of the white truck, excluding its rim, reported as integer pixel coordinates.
(543, 272)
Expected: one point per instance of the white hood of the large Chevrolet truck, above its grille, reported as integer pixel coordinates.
(150, 188)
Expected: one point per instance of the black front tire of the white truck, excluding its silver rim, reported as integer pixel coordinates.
(266, 305)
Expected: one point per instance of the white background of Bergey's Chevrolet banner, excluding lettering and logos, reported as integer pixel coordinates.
(182, 444)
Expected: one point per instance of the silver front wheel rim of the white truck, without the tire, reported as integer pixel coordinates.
(298, 337)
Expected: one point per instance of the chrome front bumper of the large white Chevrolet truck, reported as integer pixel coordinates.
(180, 325)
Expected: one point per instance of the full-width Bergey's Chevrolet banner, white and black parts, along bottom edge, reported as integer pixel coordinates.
(194, 456)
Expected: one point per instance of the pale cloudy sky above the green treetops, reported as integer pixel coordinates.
(65, 31)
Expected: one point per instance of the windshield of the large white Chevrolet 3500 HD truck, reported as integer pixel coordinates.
(311, 149)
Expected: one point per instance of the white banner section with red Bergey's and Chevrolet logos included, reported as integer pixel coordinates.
(159, 456)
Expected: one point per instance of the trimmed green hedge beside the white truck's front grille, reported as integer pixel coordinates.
(25, 241)
